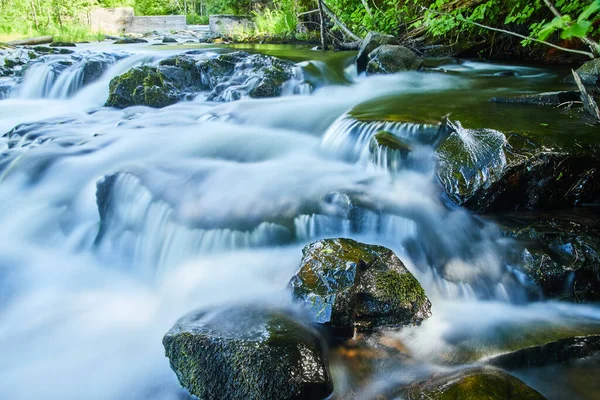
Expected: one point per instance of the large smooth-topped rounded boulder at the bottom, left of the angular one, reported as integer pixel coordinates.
(248, 352)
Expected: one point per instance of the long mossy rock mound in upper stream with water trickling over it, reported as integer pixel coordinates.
(229, 77)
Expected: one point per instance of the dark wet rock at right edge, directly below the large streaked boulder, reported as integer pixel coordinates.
(562, 258)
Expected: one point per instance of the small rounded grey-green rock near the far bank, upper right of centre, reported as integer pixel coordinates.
(388, 59)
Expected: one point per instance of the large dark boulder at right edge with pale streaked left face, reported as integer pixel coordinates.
(487, 172)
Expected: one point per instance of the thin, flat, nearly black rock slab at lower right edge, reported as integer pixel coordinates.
(557, 352)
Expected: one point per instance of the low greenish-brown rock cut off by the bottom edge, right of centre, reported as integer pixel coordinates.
(480, 383)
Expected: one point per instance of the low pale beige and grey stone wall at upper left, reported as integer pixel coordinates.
(123, 20)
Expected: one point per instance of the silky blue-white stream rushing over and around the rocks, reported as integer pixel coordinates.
(115, 223)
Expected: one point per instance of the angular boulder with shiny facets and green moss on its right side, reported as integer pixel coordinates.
(349, 285)
